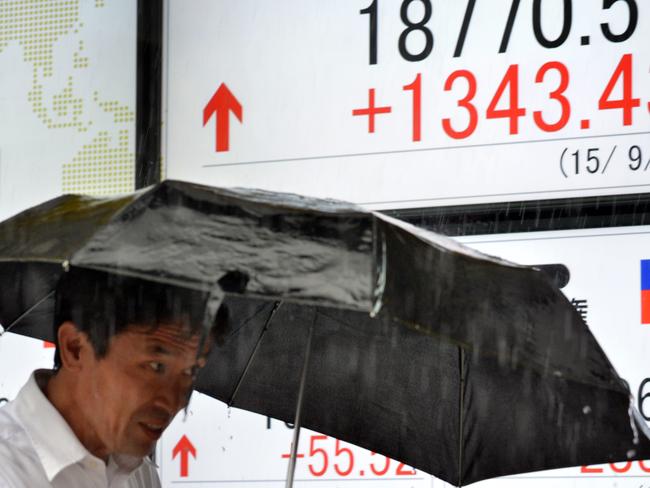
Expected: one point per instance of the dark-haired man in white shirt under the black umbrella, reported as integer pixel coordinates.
(127, 354)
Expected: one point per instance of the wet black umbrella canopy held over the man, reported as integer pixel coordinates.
(464, 366)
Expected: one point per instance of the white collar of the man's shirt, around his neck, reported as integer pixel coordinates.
(54, 441)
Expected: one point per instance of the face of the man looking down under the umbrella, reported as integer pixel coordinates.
(135, 391)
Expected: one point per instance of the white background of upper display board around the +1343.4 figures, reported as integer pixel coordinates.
(300, 68)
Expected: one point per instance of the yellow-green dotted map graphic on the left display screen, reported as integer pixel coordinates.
(106, 164)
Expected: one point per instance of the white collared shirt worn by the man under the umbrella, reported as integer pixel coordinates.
(38, 449)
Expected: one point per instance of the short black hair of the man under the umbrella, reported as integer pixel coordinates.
(104, 304)
